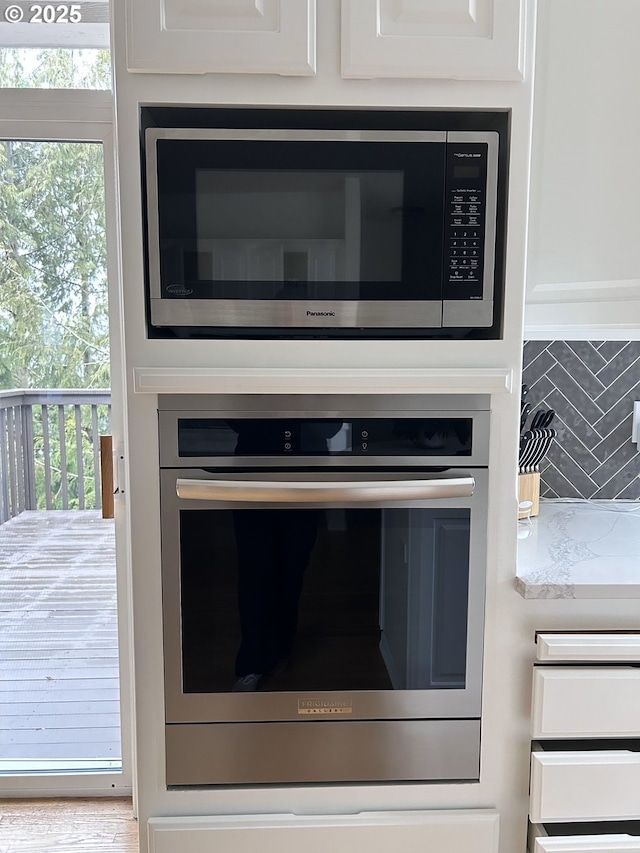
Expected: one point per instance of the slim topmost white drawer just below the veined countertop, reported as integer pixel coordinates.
(612, 648)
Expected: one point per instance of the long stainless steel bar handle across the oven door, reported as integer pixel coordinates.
(261, 491)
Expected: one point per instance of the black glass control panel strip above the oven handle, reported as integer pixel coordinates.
(214, 437)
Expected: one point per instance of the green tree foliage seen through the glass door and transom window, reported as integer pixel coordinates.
(53, 286)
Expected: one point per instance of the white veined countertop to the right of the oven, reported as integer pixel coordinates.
(580, 549)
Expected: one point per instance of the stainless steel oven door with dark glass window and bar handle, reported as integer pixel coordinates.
(357, 595)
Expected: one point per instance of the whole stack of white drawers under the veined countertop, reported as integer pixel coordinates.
(598, 778)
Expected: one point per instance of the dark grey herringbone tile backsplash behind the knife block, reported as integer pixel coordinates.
(591, 385)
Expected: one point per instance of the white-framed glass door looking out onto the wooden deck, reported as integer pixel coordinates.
(64, 672)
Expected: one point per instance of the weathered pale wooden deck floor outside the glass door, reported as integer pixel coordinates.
(59, 684)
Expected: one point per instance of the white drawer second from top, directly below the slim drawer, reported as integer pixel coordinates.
(585, 702)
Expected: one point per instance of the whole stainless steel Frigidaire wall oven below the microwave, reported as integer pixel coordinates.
(323, 571)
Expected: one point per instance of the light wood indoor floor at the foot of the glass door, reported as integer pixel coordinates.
(68, 826)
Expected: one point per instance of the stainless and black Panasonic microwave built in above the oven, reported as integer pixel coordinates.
(306, 223)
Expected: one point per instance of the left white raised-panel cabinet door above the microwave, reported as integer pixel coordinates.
(228, 36)
